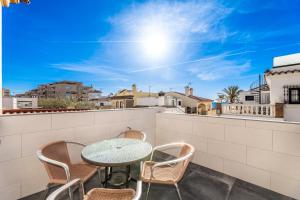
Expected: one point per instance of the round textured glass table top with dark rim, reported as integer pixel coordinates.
(116, 152)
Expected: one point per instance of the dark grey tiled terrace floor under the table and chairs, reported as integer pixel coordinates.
(200, 183)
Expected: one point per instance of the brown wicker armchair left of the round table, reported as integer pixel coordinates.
(56, 159)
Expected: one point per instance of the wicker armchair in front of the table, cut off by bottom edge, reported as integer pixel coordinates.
(98, 193)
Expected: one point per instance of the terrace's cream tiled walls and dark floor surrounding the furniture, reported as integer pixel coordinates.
(235, 158)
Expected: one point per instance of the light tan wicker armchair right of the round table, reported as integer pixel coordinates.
(168, 172)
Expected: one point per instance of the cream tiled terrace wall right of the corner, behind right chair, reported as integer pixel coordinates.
(262, 152)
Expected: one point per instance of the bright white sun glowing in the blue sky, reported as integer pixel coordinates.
(155, 42)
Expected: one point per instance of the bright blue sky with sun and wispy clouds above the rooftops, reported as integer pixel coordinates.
(164, 44)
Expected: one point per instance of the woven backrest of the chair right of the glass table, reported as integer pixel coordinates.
(188, 151)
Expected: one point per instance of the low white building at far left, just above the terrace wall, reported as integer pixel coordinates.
(19, 103)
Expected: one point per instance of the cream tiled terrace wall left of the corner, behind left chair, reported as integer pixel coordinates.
(22, 174)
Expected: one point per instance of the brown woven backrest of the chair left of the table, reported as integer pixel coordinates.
(56, 151)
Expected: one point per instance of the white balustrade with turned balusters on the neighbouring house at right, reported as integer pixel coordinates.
(249, 110)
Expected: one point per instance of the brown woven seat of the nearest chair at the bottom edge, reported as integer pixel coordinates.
(109, 194)
